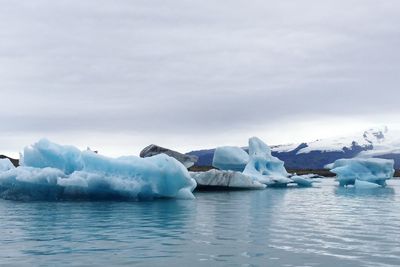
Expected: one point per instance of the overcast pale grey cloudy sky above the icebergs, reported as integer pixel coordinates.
(119, 75)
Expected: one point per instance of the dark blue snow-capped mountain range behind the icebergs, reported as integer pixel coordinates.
(374, 142)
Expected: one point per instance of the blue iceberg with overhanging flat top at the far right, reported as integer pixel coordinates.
(363, 172)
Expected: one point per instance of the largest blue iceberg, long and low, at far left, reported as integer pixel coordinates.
(53, 172)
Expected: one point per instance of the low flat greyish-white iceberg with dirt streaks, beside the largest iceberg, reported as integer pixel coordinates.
(217, 179)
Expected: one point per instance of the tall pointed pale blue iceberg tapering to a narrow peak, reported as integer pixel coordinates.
(264, 167)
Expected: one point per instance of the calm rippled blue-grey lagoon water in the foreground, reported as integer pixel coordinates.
(324, 226)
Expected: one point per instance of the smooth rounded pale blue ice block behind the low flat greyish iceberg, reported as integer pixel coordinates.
(230, 158)
